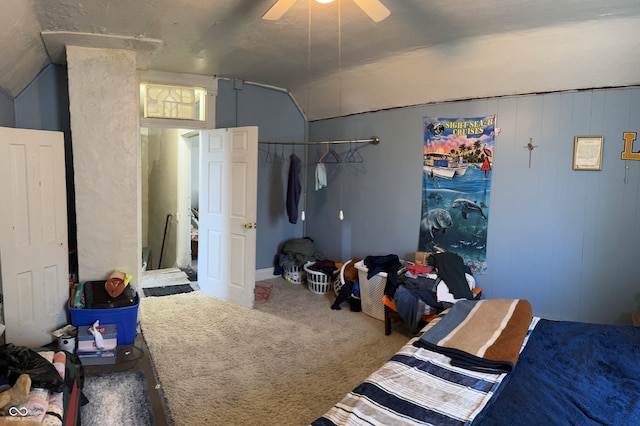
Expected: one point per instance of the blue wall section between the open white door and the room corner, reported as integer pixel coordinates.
(278, 119)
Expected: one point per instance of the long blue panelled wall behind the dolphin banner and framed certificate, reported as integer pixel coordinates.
(565, 240)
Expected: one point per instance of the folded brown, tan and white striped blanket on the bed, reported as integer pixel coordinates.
(481, 335)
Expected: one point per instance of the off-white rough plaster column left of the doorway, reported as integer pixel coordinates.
(105, 132)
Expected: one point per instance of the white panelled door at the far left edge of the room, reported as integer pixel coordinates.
(33, 234)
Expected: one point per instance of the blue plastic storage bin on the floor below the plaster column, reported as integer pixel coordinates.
(125, 319)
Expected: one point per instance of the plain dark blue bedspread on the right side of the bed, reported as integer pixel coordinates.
(571, 373)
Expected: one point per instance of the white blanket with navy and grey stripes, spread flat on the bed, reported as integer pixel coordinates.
(416, 387)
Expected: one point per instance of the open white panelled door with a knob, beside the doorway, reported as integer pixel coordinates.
(227, 233)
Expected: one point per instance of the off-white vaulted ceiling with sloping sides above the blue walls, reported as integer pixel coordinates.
(334, 59)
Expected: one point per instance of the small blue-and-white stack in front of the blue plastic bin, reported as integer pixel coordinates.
(101, 353)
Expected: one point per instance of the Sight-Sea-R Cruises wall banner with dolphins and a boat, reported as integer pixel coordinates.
(456, 187)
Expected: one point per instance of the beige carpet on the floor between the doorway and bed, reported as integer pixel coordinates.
(284, 363)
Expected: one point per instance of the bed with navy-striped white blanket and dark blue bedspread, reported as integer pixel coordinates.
(562, 372)
